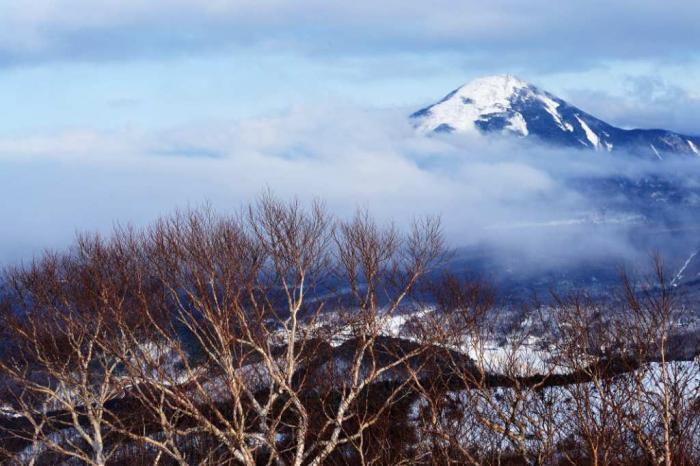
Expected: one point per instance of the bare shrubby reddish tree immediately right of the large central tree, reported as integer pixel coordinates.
(488, 403)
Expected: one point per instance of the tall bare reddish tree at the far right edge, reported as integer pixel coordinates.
(660, 390)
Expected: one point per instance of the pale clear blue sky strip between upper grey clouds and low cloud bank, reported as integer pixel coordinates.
(169, 91)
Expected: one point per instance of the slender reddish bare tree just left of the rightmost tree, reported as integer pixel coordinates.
(586, 342)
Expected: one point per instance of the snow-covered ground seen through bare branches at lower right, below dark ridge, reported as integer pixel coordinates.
(553, 410)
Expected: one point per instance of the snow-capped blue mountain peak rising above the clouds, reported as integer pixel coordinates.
(508, 104)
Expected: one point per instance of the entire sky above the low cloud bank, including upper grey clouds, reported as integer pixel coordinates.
(153, 64)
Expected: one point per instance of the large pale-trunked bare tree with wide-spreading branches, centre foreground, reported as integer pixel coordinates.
(232, 347)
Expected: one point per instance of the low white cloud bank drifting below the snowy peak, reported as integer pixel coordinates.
(501, 194)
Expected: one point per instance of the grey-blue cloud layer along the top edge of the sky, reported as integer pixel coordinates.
(537, 35)
